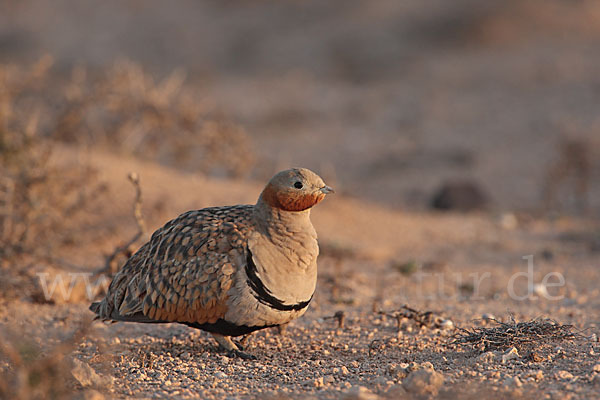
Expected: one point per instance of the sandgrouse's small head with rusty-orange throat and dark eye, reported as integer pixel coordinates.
(295, 189)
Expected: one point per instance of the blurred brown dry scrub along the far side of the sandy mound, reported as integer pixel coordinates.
(124, 109)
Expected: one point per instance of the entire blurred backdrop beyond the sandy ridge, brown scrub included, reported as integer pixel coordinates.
(410, 104)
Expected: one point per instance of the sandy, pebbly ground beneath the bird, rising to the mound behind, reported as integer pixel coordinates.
(364, 249)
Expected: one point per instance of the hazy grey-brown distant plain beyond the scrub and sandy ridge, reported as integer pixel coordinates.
(388, 99)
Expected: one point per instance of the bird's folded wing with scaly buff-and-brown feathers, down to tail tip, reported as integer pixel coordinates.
(184, 272)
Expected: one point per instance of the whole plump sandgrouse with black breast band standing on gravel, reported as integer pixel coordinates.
(226, 270)
